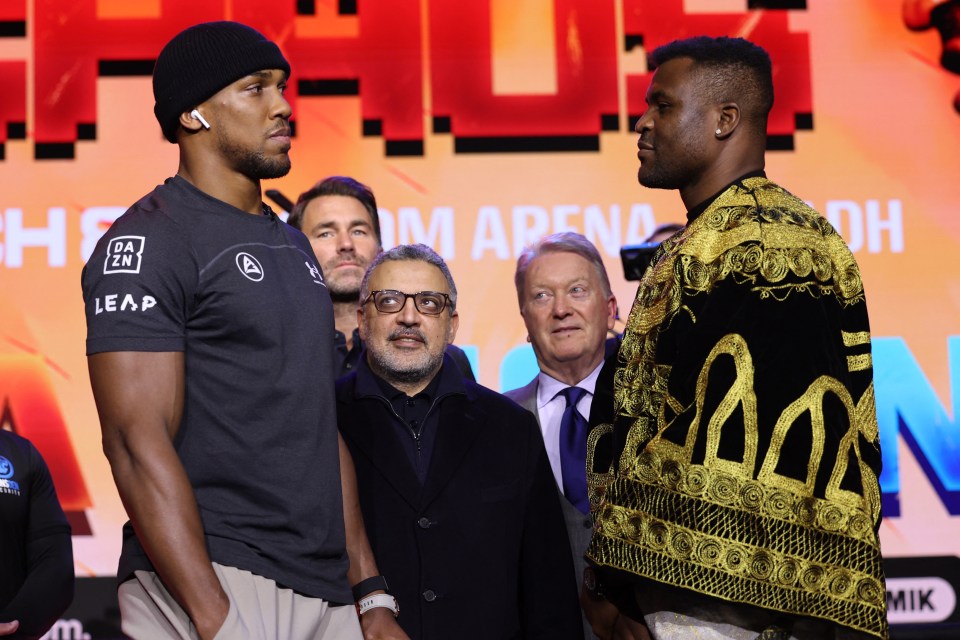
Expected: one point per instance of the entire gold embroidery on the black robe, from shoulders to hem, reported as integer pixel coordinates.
(743, 530)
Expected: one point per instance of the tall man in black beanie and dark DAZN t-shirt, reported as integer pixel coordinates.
(202, 310)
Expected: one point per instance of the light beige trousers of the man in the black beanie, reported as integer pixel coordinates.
(259, 610)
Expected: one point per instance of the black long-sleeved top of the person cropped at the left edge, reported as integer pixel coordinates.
(36, 557)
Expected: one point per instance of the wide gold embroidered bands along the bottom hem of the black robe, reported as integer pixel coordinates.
(793, 571)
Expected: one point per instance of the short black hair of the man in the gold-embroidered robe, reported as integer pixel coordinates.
(729, 70)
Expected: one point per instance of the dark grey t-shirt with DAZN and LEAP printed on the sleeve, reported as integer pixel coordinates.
(242, 297)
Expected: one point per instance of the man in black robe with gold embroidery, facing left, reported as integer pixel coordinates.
(736, 492)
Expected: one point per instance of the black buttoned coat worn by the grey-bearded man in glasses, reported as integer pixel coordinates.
(479, 550)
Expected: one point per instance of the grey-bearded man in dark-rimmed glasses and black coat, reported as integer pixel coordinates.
(453, 480)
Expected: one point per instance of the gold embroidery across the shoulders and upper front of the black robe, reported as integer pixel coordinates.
(729, 241)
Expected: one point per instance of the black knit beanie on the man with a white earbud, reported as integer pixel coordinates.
(201, 60)
